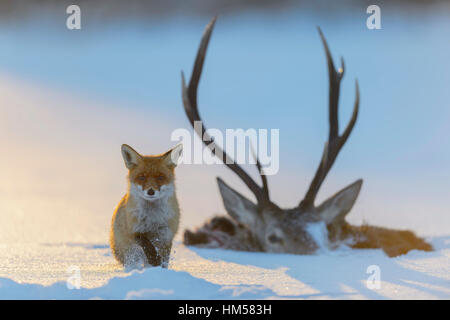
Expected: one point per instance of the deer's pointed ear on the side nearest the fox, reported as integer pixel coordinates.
(238, 207)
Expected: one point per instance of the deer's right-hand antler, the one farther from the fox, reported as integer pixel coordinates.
(335, 142)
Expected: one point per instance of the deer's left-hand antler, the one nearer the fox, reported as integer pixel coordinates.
(191, 108)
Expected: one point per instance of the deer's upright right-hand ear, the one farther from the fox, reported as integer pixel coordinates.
(339, 205)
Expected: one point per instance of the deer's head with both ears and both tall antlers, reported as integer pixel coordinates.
(302, 229)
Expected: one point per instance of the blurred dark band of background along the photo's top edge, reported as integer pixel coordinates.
(113, 9)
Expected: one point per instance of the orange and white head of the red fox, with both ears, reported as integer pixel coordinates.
(151, 177)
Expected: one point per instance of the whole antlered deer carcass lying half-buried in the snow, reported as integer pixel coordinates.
(264, 226)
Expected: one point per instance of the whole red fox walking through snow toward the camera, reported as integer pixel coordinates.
(146, 219)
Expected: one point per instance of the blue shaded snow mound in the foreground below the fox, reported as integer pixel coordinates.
(154, 283)
